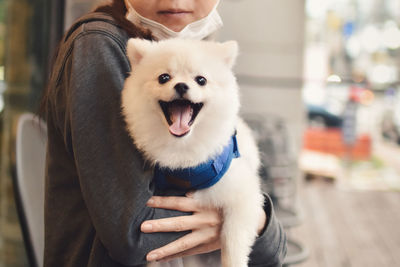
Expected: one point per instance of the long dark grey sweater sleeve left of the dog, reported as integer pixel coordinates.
(113, 180)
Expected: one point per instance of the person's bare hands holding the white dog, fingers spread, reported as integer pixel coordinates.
(205, 226)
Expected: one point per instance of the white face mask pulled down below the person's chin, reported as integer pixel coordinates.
(197, 30)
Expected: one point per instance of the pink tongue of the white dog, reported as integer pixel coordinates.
(180, 117)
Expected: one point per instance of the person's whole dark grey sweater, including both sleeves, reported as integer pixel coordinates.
(97, 184)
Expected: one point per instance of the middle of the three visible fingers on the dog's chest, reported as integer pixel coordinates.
(183, 223)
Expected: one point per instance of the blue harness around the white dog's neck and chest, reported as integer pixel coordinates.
(201, 176)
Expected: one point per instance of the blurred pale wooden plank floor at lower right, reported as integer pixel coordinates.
(348, 228)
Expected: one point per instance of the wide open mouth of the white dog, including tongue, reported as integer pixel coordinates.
(180, 115)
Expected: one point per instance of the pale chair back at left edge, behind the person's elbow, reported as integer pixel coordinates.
(29, 183)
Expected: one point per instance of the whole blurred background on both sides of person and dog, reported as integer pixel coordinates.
(320, 87)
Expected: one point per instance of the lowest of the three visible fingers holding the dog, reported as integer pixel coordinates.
(184, 243)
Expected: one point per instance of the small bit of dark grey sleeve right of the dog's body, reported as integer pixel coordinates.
(269, 249)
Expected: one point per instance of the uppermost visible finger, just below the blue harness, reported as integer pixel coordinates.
(185, 204)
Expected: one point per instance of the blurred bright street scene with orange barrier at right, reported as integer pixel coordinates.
(352, 89)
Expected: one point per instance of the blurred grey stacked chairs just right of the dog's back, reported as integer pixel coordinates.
(278, 174)
